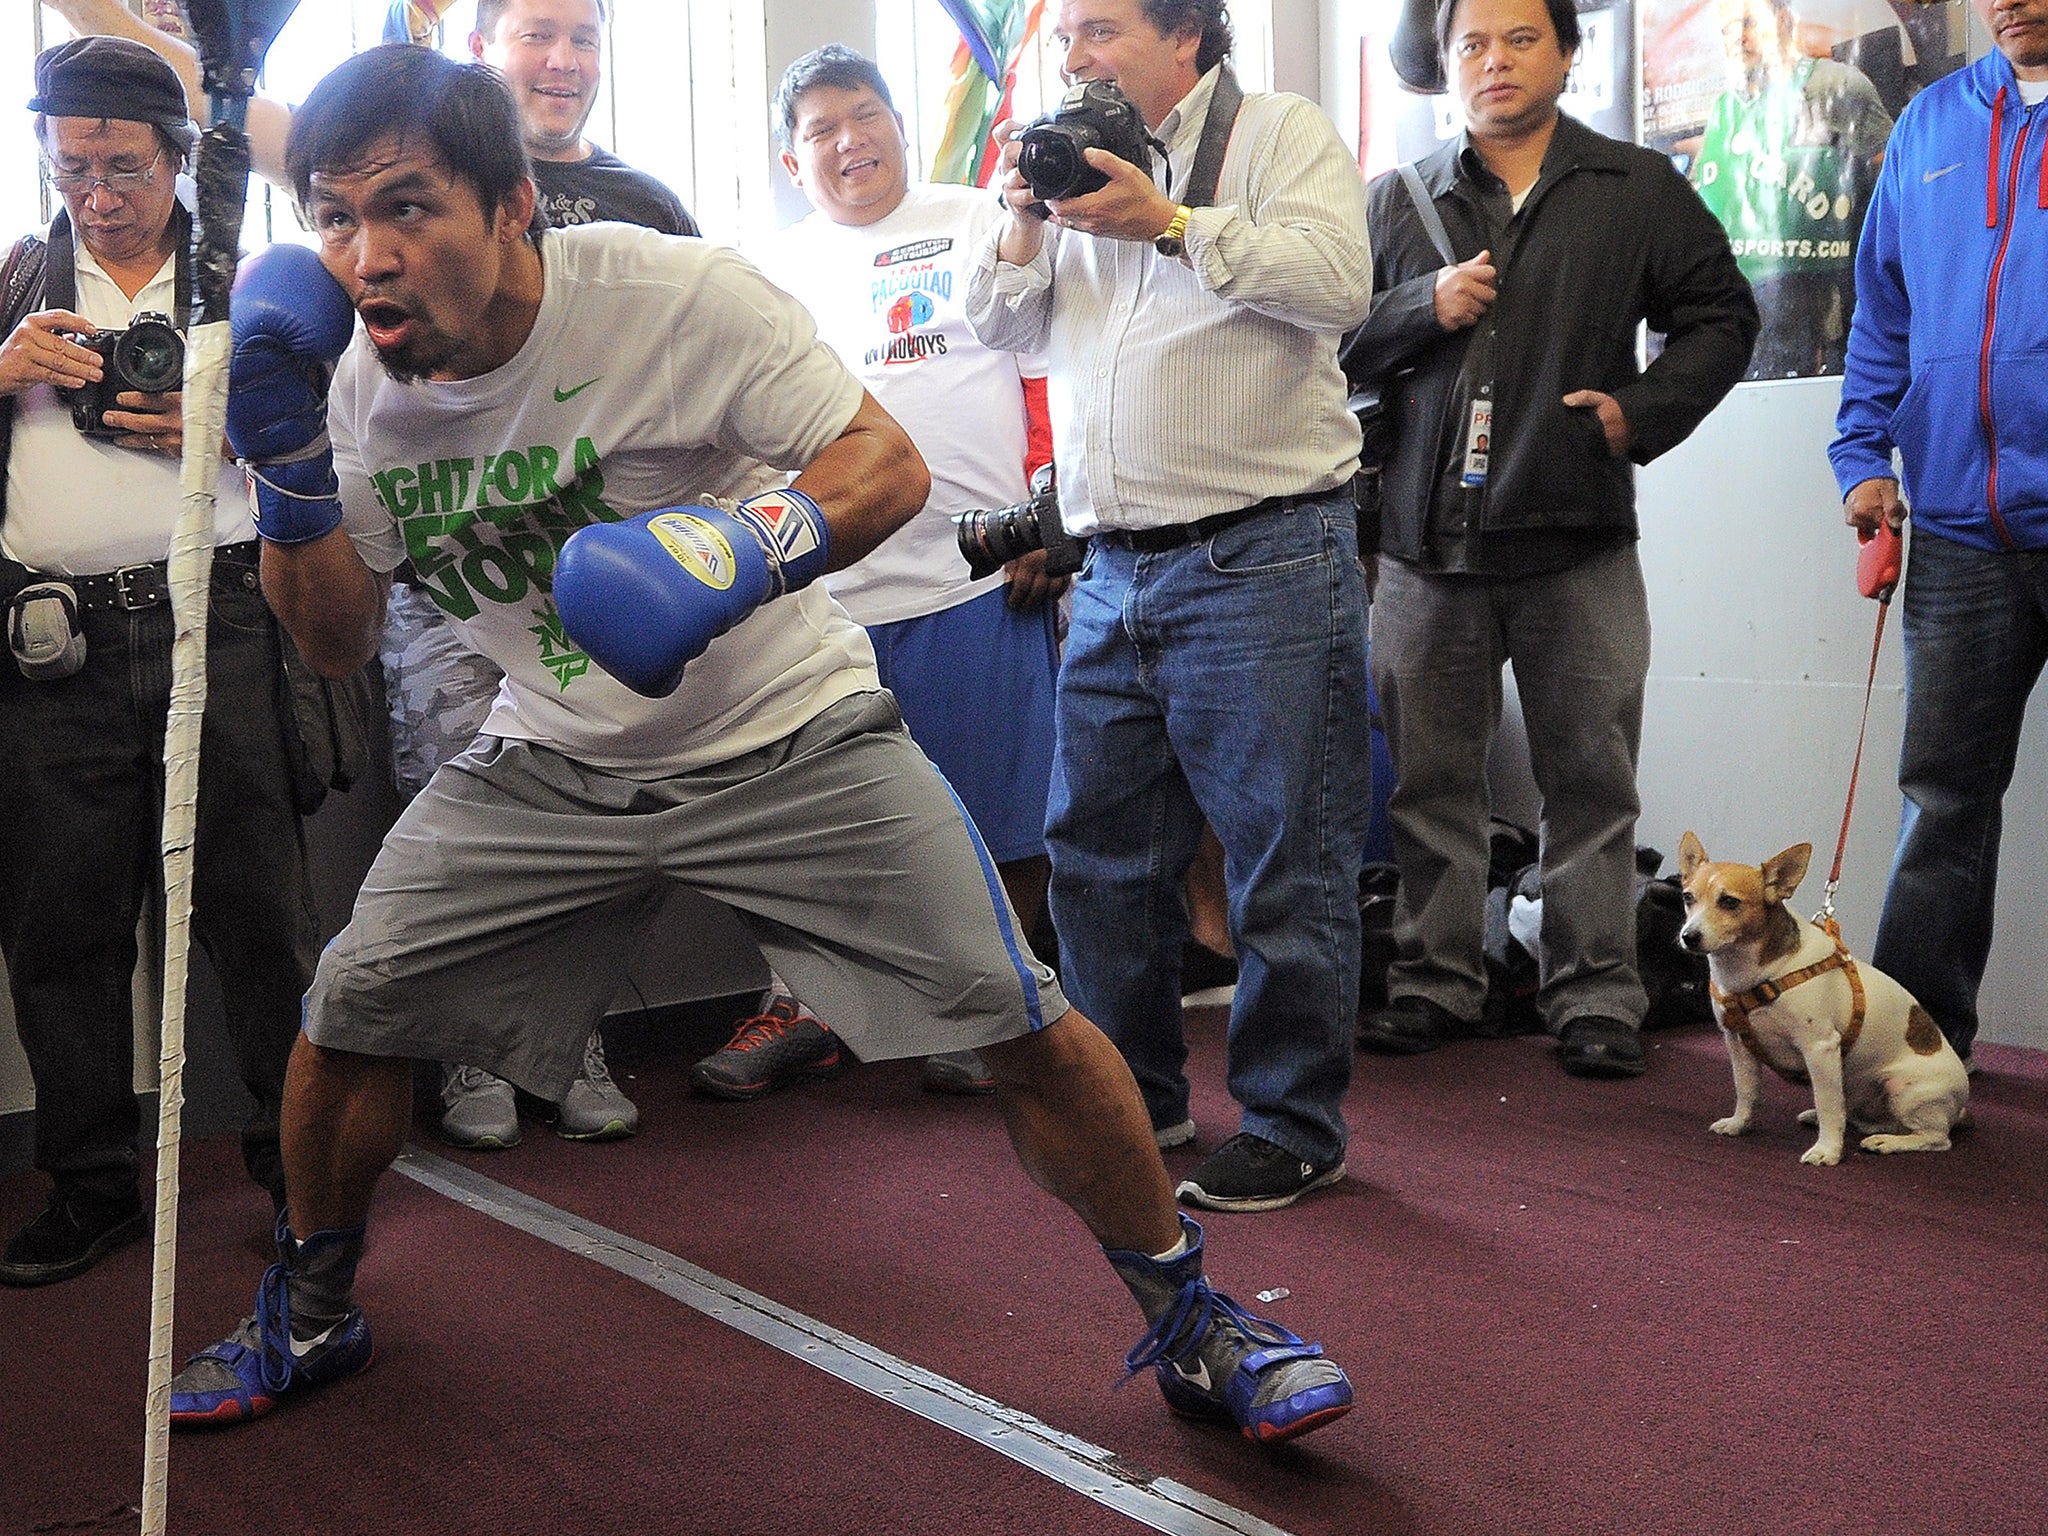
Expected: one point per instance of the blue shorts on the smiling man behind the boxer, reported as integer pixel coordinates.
(976, 689)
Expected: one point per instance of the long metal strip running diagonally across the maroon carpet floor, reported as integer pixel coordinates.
(1103, 1476)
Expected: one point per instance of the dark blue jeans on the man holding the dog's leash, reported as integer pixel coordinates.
(1977, 638)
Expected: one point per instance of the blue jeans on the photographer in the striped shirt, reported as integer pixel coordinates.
(1222, 681)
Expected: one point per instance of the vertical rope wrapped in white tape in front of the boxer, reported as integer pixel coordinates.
(191, 581)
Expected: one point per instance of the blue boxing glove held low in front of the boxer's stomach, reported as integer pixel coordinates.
(648, 595)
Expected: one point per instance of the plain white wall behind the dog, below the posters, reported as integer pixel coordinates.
(1760, 654)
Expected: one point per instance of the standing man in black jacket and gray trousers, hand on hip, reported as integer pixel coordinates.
(1508, 517)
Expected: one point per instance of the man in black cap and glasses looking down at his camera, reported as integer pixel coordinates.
(91, 445)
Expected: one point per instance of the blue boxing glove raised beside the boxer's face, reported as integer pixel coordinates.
(290, 327)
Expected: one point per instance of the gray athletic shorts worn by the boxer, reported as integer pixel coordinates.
(517, 888)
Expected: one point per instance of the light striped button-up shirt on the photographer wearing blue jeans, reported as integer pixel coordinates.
(1193, 386)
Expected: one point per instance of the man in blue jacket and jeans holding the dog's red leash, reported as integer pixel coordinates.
(1947, 366)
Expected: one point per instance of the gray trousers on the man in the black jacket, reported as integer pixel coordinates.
(1580, 644)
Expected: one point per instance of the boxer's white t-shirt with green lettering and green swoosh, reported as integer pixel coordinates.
(658, 372)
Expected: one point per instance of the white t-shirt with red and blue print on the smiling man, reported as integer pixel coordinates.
(890, 300)
